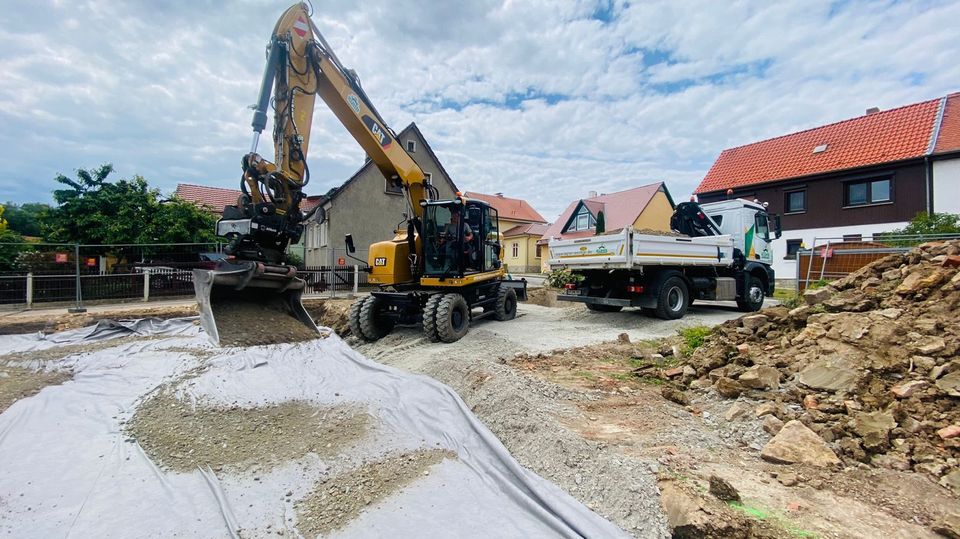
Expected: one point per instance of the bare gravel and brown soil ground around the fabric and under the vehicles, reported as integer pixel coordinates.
(579, 398)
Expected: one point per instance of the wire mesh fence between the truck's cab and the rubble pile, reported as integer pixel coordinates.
(829, 259)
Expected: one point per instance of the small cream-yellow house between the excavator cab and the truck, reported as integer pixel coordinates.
(521, 227)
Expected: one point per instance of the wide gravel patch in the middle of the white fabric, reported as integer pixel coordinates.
(182, 437)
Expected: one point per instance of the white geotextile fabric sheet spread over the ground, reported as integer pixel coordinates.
(67, 470)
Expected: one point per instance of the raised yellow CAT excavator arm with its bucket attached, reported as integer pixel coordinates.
(267, 218)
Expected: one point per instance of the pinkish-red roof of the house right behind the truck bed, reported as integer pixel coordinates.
(620, 209)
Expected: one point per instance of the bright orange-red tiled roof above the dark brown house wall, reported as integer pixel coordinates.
(881, 137)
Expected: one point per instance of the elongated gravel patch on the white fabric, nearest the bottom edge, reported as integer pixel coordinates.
(337, 500)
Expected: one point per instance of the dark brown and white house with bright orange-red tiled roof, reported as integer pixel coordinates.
(848, 180)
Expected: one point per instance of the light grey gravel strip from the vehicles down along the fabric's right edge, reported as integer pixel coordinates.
(527, 413)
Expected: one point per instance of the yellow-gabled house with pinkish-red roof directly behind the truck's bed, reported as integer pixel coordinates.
(643, 208)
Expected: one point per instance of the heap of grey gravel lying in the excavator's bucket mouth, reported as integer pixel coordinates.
(242, 323)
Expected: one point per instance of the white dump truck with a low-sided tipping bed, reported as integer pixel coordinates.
(716, 251)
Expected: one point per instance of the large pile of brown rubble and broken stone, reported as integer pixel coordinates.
(869, 365)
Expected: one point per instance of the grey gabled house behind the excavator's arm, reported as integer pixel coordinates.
(368, 207)
